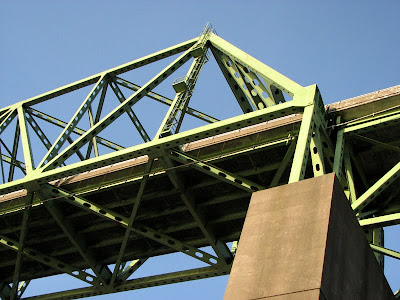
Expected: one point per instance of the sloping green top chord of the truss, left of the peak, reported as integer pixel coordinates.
(113, 71)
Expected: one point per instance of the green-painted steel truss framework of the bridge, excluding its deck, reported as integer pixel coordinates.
(259, 91)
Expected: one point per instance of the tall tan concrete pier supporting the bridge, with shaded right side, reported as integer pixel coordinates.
(302, 241)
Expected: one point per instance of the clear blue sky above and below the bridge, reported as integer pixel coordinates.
(347, 47)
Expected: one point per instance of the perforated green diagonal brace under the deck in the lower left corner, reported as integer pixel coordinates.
(49, 261)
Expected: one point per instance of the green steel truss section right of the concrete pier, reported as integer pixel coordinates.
(369, 198)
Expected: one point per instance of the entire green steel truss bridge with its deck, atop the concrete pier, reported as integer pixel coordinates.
(81, 204)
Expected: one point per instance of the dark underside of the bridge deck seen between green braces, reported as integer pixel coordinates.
(253, 153)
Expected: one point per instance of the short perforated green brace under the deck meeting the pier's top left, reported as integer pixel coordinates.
(214, 171)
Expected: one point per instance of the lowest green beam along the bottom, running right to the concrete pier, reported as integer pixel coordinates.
(139, 283)
